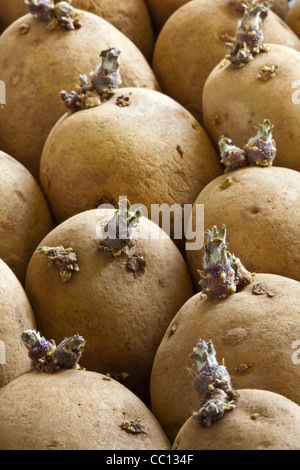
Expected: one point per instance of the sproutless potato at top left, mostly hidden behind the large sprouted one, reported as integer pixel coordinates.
(131, 17)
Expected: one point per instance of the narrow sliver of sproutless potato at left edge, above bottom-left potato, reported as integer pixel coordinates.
(15, 316)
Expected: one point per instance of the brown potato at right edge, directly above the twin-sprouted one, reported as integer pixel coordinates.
(242, 101)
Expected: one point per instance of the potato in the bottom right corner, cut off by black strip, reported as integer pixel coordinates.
(277, 427)
